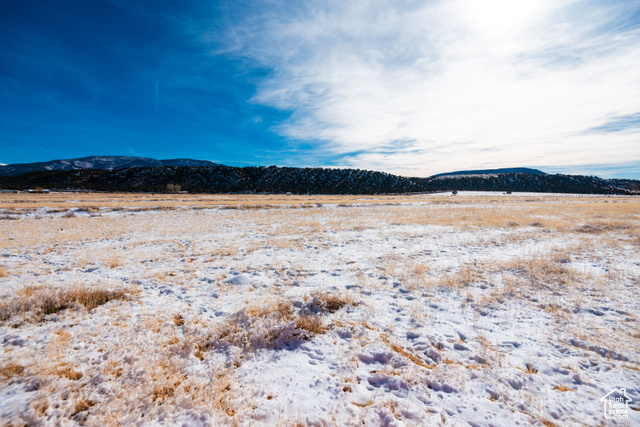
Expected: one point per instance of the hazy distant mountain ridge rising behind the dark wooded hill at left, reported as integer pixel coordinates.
(98, 162)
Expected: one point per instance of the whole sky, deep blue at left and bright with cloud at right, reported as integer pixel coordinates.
(408, 87)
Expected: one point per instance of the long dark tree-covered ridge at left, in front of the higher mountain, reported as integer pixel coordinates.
(217, 179)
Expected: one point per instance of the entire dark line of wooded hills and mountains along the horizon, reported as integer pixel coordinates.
(142, 174)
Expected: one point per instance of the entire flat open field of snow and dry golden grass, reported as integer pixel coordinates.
(318, 310)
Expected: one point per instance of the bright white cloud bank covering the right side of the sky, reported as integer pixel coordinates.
(436, 86)
